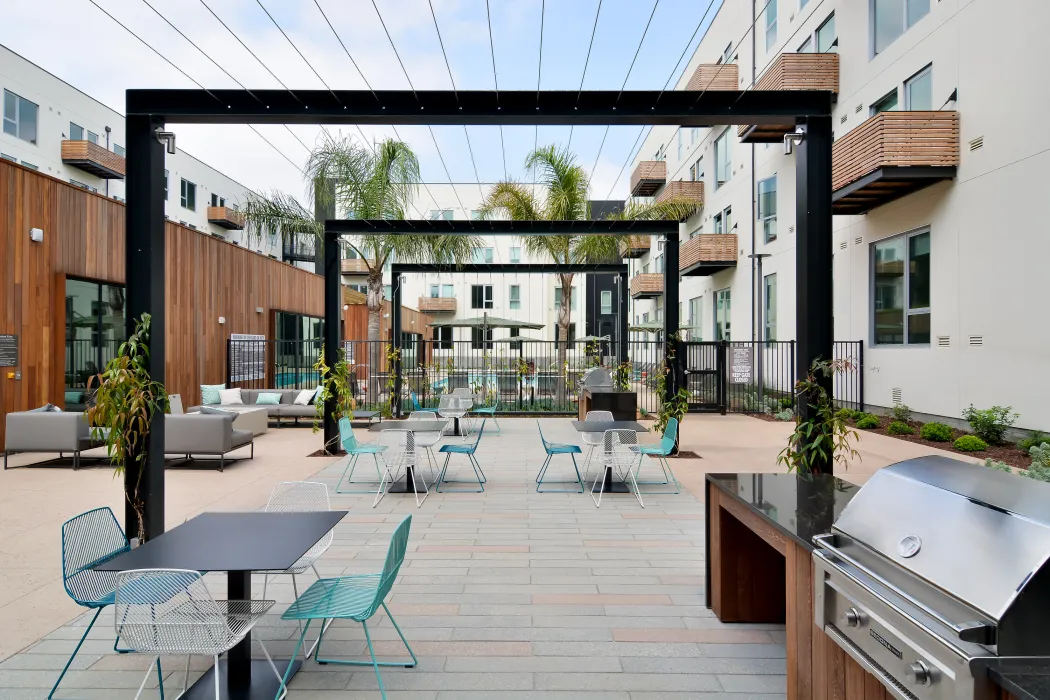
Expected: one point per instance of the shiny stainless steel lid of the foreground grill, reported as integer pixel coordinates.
(978, 535)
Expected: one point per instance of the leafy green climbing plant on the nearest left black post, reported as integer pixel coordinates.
(125, 404)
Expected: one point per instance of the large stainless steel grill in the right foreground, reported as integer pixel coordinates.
(934, 571)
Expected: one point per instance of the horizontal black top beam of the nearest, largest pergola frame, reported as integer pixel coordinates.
(486, 108)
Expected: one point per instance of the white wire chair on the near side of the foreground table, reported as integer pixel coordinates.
(171, 611)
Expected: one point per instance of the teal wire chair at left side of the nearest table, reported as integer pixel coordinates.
(90, 540)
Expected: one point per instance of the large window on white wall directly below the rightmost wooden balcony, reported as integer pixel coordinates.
(900, 279)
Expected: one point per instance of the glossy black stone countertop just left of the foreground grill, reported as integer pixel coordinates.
(801, 507)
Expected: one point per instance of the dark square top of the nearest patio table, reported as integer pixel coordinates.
(232, 542)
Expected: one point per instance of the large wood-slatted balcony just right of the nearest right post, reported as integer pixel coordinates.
(891, 156)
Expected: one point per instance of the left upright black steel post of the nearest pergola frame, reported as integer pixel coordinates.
(144, 278)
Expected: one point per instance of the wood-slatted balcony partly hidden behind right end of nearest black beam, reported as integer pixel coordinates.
(792, 72)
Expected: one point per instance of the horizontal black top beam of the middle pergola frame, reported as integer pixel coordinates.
(496, 228)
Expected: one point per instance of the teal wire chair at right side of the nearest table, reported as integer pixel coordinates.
(356, 599)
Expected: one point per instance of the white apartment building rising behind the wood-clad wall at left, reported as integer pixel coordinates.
(51, 126)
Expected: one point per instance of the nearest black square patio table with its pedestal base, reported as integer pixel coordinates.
(238, 544)
